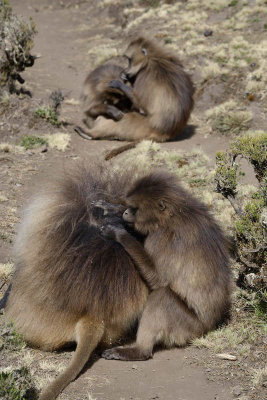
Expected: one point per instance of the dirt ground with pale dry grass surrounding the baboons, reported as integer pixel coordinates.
(75, 36)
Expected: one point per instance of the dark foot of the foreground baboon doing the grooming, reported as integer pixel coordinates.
(126, 354)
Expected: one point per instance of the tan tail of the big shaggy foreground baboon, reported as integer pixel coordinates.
(88, 337)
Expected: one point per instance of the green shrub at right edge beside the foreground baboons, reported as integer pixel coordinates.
(251, 219)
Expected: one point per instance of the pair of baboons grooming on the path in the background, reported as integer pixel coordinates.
(151, 99)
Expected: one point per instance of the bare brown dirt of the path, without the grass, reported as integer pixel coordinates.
(67, 32)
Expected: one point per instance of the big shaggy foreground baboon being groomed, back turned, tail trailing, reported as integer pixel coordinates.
(72, 284)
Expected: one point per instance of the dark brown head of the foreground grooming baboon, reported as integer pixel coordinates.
(152, 202)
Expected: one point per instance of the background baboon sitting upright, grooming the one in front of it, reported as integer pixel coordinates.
(161, 88)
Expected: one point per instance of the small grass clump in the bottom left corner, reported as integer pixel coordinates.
(17, 385)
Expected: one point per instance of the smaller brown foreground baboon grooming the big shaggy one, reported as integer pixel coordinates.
(184, 261)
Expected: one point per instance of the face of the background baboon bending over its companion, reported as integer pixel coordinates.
(137, 57)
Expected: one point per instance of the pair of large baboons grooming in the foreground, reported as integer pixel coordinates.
(97, 253)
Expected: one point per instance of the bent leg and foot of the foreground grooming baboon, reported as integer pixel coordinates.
(167, 320)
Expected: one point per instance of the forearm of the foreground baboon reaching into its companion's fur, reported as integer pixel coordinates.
(141, 259)
